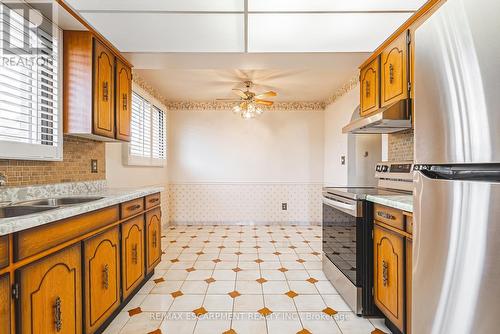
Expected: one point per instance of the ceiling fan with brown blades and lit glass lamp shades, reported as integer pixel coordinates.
(249, 103)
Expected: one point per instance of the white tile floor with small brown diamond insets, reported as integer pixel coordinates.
(241, 279)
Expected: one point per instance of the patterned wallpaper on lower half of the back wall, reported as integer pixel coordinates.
(244, 202)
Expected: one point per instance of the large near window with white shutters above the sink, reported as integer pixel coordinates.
(30, 113)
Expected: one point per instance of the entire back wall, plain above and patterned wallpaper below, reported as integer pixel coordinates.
(226, 169)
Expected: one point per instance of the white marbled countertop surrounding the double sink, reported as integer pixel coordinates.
(112, 196)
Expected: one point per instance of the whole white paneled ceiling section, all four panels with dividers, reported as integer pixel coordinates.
(246, 25)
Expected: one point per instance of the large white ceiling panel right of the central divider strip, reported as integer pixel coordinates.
(353, 32)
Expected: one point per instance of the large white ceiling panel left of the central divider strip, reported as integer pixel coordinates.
(161, 32)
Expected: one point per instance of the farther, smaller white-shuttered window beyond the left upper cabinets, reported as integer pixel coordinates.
(147, 145)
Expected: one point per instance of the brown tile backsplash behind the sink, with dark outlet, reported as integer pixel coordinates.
(75, 167)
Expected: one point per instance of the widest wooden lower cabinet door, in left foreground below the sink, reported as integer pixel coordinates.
(50, 294)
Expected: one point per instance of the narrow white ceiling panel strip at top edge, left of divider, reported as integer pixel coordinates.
(158, 5)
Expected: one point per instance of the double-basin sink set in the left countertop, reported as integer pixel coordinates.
(39, 205)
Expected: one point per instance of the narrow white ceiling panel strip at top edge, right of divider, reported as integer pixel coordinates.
(334, 5)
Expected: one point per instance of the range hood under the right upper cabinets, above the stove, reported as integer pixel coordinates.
(393, 118)
